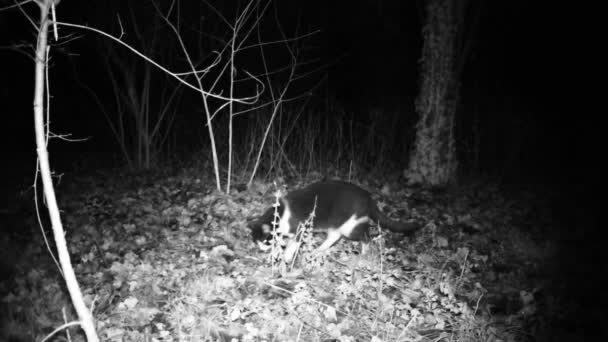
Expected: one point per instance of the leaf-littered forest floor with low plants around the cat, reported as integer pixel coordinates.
(168, 258)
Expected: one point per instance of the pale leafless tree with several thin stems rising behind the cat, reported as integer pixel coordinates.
(240, 33)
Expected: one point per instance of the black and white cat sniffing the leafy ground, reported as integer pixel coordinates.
(341, 210)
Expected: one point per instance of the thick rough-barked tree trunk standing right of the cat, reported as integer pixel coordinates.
(434, 161)
